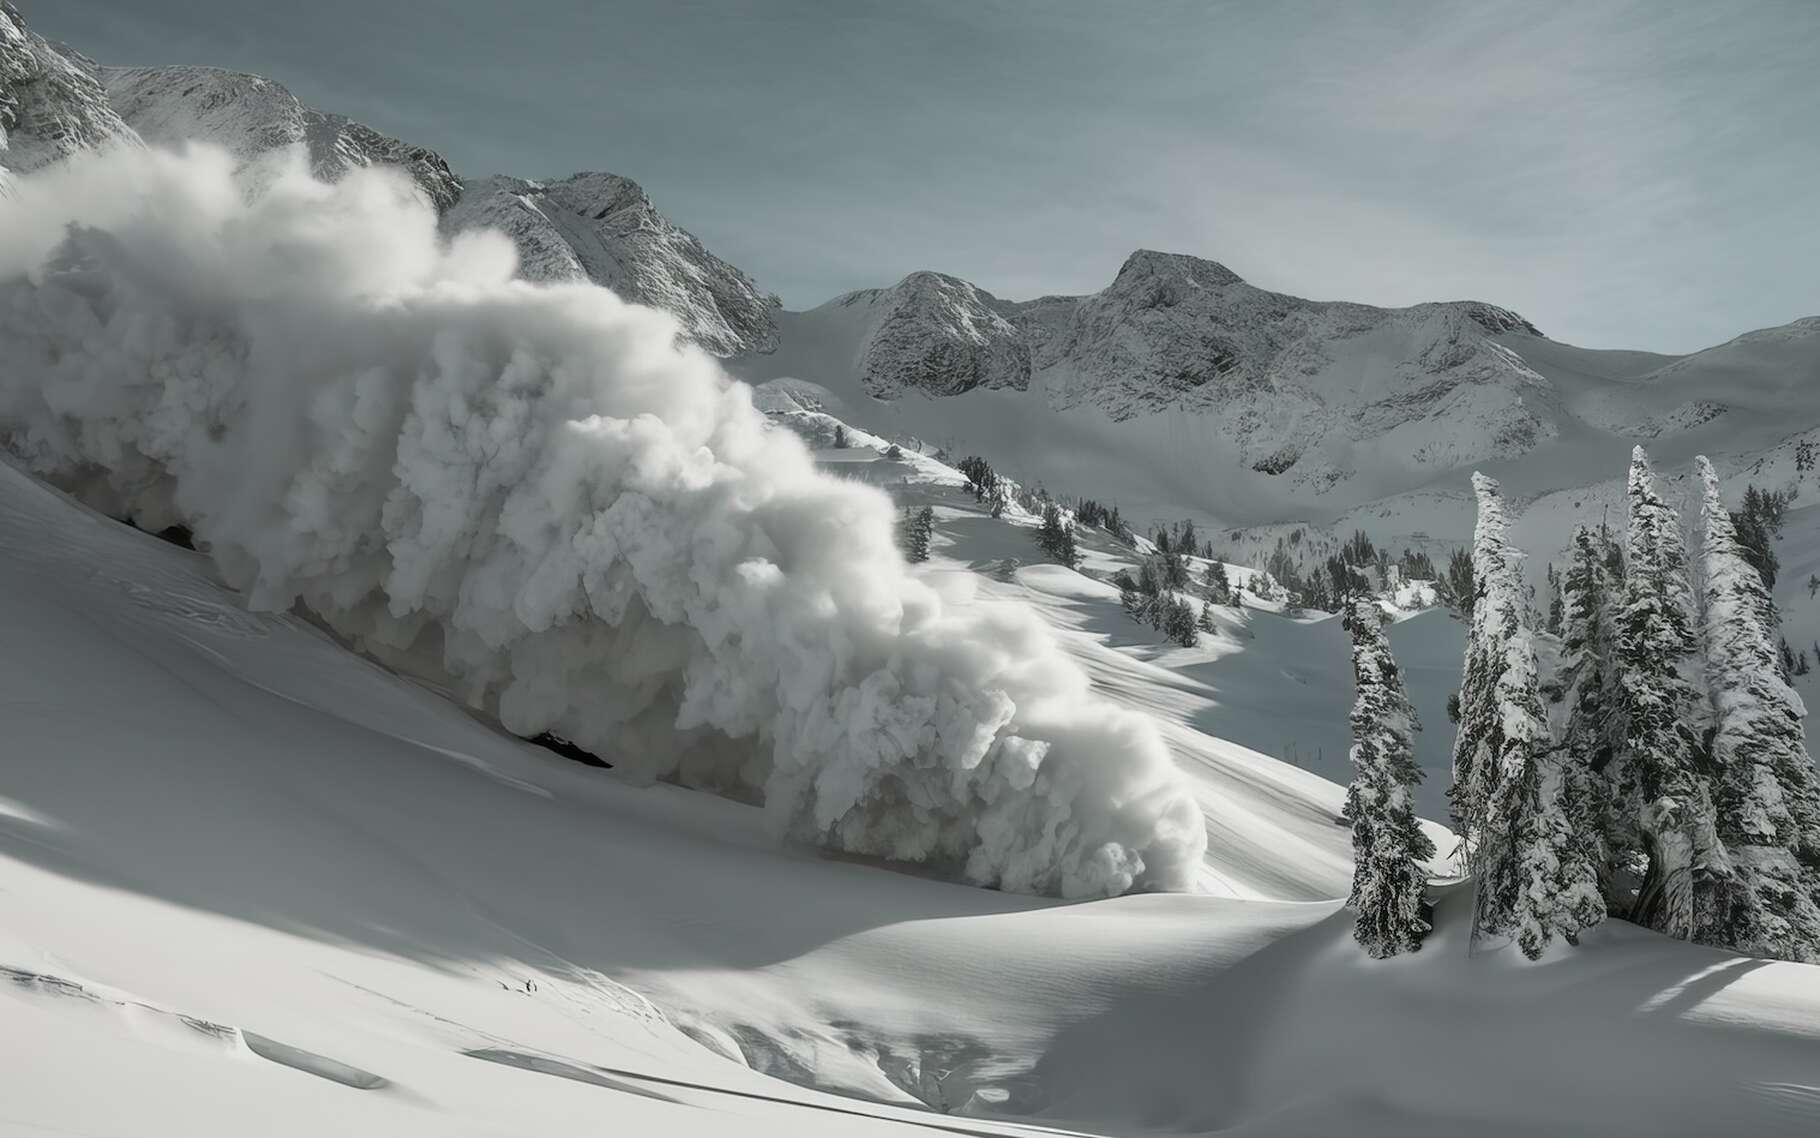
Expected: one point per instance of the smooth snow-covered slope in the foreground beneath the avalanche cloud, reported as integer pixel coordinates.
(254, 880)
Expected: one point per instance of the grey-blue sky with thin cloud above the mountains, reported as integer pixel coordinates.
(1626, 176)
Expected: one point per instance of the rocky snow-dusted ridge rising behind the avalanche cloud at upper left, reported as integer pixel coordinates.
(589, 227)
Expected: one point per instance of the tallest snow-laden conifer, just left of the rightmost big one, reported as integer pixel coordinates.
(1663, 804)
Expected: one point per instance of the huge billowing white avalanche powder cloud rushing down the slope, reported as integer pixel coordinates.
(534, 496)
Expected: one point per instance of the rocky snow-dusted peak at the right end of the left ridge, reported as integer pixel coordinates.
(605, 229)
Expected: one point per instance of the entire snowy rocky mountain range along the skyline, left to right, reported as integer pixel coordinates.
(1178, 389)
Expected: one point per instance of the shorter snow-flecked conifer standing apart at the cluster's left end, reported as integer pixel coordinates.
(1390, 849)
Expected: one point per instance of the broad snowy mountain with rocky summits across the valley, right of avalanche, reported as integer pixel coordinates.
(1182, 391)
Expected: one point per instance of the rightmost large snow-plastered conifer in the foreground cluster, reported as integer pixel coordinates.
(1766, 795)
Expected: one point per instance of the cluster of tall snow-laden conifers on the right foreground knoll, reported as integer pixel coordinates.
(1672, 784)
